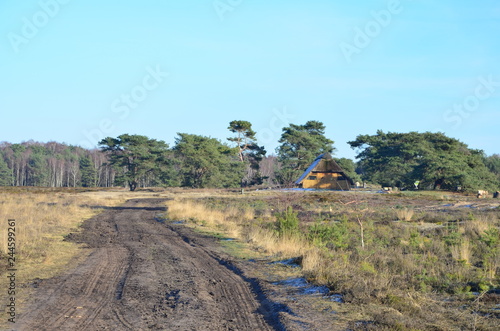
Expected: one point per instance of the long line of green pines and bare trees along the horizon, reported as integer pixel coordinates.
(432, 160)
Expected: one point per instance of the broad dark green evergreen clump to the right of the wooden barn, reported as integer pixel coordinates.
(433, 159)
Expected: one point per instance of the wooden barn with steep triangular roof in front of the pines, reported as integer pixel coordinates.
(324, 173)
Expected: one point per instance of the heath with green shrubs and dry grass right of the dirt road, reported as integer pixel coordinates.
(406, 261)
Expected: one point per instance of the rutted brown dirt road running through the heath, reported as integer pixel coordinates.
(143, 274)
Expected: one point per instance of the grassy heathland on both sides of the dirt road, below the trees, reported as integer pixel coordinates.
(402, 261)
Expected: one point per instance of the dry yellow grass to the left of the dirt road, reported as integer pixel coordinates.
(42, 221)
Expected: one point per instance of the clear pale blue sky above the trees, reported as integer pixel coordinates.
(76, 71)
